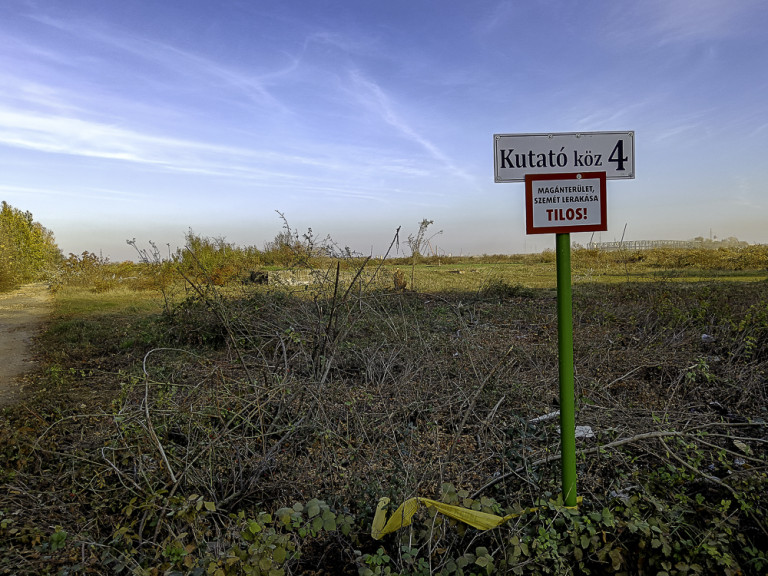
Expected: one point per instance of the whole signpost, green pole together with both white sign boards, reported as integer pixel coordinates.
(561, 198)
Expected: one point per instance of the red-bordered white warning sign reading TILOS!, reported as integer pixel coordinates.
(563, 203)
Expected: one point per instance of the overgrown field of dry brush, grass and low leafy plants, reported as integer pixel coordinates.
(216, 426)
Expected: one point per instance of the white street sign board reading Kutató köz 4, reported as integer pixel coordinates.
(515, 155)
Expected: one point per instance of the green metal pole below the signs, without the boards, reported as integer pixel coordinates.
(565, 365)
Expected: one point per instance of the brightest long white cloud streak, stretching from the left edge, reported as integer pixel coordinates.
(77, 137)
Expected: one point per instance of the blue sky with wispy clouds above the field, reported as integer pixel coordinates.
(144, 119)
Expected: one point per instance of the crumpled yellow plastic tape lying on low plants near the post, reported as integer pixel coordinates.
(404, 514)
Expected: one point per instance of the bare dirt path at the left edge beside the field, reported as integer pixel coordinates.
(22, 314)
